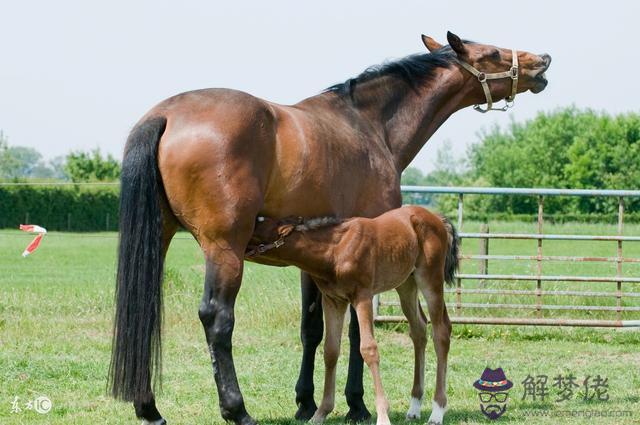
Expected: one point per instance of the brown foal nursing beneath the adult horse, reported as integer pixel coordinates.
(355, 259)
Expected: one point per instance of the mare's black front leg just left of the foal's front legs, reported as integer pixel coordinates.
(311, 336)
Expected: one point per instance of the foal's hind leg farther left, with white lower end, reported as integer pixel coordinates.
(410, 303)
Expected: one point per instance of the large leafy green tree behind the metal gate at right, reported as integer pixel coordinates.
(567, 148)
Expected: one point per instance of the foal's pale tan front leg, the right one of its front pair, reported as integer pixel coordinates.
(369, 351)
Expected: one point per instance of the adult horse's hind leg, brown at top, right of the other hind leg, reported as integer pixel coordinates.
(222, 281)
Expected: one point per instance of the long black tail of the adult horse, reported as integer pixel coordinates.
(136, 350)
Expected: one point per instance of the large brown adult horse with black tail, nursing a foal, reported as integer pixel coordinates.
(212, 160)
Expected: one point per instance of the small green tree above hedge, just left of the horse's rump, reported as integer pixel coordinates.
(91, 166)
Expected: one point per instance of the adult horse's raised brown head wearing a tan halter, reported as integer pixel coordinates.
(495, 69)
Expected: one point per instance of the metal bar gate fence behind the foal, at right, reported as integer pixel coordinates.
(458, 306)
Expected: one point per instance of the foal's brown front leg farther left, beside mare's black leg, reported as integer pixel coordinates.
(334, 311)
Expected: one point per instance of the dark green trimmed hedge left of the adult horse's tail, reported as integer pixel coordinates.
(66, 208)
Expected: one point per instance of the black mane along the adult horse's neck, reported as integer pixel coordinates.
(413, 70)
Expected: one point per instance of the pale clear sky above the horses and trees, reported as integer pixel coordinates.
(75, 75)
